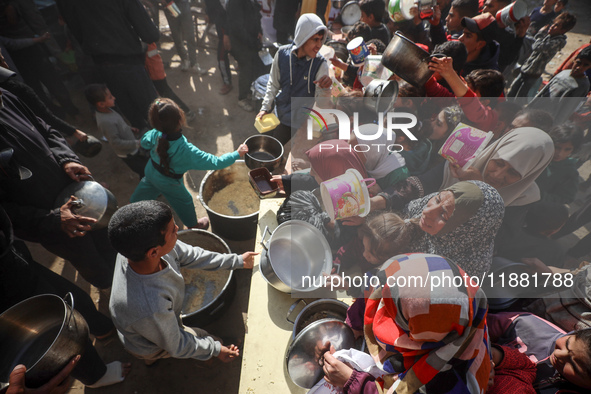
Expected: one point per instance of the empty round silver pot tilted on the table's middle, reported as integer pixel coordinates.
(295, 250)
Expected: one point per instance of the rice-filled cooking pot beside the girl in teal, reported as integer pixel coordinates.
(230, 201)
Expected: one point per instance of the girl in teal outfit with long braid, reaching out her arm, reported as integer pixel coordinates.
(171, 155)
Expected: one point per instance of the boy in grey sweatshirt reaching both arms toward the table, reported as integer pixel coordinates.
(148, 287)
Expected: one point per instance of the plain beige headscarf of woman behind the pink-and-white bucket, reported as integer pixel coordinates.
(529, 151)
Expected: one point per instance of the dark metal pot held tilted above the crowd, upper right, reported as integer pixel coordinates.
(407, 60)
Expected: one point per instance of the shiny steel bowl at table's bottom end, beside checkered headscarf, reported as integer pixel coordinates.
(304, 353)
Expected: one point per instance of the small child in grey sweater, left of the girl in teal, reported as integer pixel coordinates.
(115, 129)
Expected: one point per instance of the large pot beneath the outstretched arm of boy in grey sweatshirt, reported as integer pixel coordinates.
(207, 293)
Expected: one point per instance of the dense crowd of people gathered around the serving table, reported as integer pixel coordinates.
(427, 214)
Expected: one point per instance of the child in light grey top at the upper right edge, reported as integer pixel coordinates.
(559, 96)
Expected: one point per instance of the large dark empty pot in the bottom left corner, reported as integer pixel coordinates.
(43, 333)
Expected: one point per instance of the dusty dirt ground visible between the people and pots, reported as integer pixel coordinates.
(221, 126)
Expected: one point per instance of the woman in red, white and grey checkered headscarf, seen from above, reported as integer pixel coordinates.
(428, 339)
